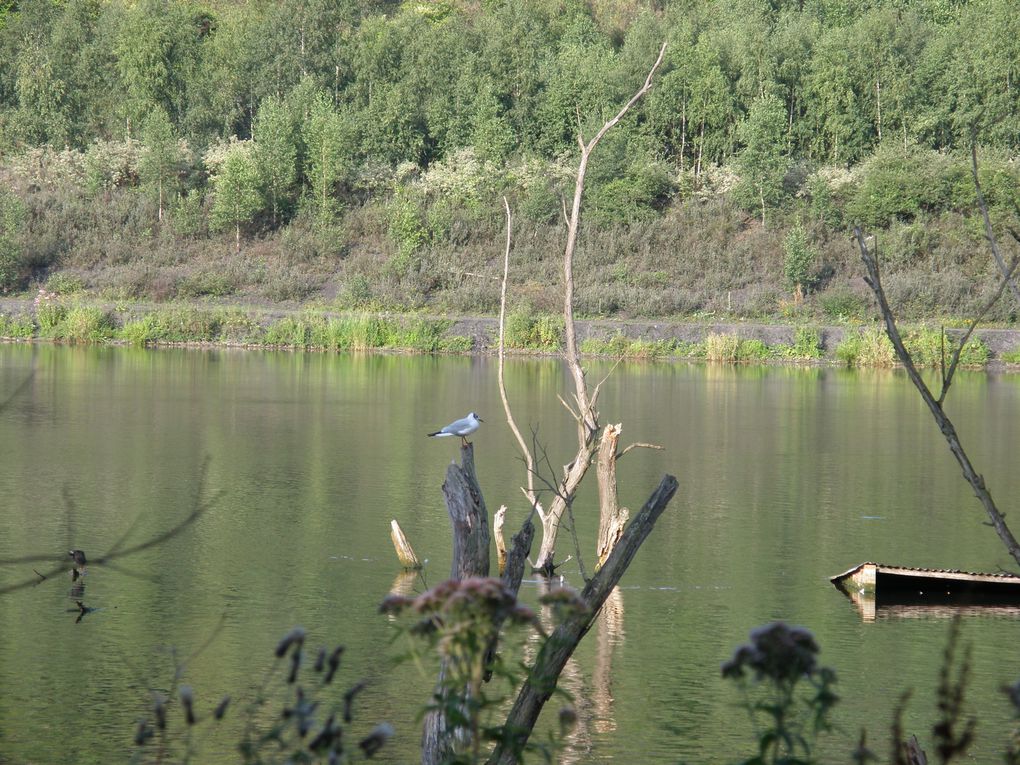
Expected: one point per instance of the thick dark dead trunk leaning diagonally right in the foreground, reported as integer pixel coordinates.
(557, 650)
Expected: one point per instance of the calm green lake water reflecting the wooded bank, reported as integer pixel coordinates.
(788, 477)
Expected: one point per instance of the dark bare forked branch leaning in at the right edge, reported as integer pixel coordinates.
(935, 403)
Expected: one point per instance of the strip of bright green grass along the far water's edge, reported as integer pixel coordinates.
(70, 322)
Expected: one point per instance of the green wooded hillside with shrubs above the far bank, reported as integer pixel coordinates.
(361, 150)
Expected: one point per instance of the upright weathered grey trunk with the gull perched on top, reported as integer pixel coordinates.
(471, 558)
